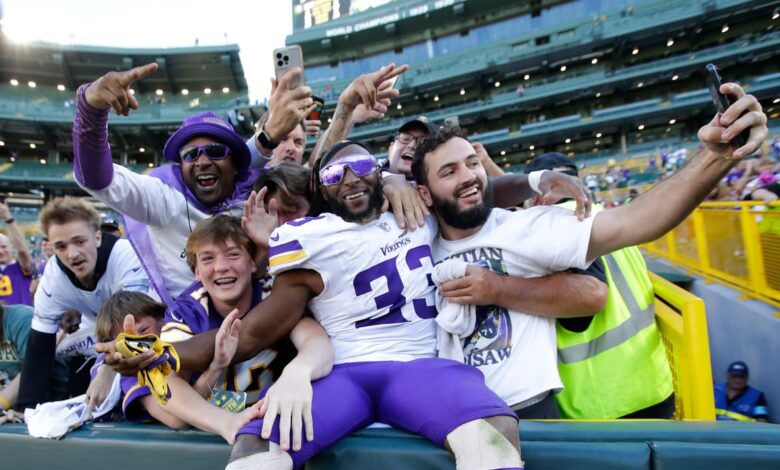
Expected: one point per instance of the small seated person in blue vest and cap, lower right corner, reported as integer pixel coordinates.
(735, 400)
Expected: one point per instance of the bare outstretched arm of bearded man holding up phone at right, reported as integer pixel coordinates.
(670, 201)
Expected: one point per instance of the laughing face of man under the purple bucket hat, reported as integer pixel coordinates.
(211, 181)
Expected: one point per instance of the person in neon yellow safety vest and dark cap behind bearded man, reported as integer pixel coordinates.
(614, 364)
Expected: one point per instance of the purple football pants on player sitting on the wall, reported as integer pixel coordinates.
(429, 397)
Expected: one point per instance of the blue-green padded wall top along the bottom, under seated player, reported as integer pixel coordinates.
(549, 445)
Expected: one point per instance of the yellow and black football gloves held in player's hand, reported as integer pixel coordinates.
(153, 376)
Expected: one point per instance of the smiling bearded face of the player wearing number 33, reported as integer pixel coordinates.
(354, 199)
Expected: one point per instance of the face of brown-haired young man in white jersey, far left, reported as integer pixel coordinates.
(75, 245)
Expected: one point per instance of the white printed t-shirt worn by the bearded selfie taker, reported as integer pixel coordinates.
(516, 351)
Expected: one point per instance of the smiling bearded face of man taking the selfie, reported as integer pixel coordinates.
(457, 186)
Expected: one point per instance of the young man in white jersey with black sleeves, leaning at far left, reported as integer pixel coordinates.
(88, 267)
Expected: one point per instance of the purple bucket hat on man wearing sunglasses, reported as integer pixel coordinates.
(209, 125)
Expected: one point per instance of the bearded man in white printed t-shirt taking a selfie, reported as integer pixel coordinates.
(515, 349)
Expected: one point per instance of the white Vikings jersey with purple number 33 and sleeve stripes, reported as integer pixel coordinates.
(377, 303)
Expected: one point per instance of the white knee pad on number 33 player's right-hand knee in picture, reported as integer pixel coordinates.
(477, 445)
